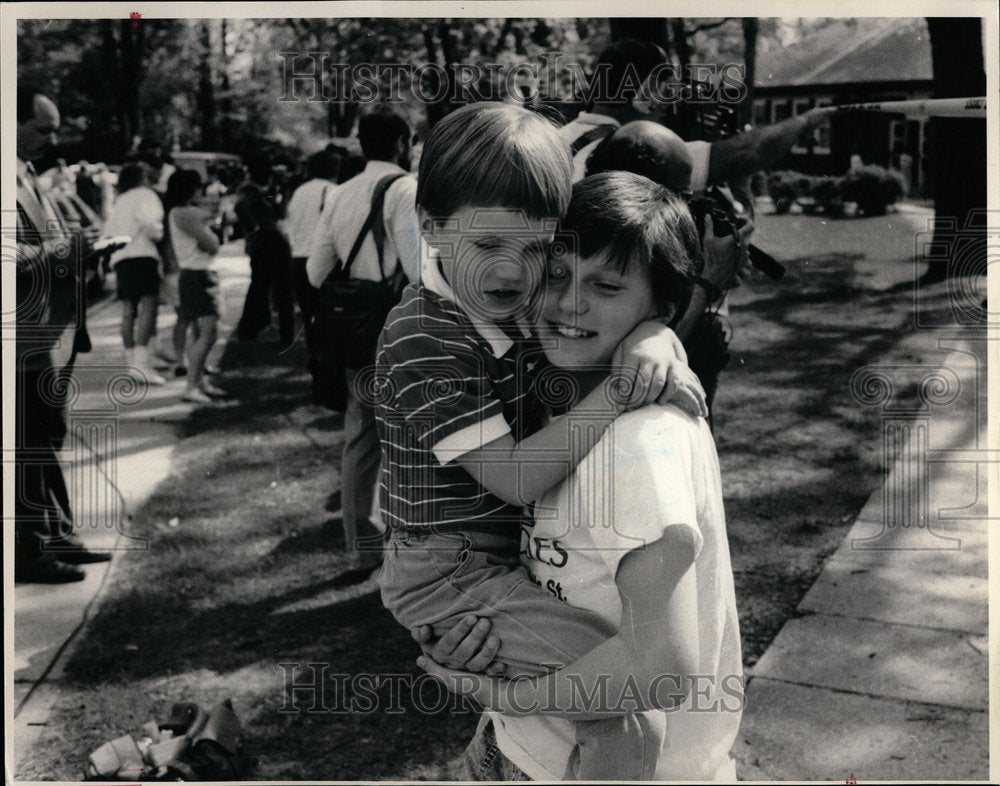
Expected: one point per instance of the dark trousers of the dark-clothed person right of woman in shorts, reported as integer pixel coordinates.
(270, 287)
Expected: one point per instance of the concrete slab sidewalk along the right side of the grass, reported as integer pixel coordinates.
(883, 675)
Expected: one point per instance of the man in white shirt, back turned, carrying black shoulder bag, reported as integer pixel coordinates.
(385, 142)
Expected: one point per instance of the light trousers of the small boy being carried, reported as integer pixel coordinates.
(437, 578)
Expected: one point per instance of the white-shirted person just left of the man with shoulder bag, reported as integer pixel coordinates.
(304, 210)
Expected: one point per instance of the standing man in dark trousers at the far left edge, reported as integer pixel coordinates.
(51, 329)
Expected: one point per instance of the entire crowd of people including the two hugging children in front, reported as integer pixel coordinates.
(440, 318)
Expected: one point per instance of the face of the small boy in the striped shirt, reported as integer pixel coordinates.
(494, 260)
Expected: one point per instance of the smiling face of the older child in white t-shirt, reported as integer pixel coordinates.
(589, 307)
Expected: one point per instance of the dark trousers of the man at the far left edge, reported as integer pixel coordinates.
(42, 512)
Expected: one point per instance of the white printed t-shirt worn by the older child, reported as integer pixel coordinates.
(654, 468)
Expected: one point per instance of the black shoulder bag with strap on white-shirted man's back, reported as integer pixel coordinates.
(350, 312)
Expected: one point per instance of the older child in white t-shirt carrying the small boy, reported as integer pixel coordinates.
(636, 534)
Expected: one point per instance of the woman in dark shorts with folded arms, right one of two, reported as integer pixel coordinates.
(194, 246)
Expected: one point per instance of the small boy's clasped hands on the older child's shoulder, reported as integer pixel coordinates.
(654, 357)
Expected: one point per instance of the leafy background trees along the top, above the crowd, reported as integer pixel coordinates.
(216, 84)
